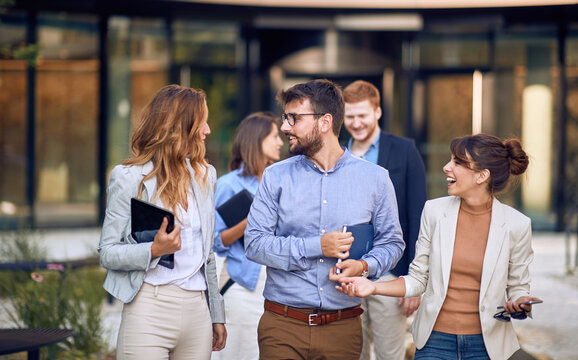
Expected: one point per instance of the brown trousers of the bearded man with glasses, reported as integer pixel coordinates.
(282, 338)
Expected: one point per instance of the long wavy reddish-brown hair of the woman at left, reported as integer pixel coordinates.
(168, 132)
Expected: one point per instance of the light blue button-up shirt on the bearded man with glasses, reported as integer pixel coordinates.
(296, 203)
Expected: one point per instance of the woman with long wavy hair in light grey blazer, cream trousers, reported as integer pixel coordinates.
(173, 313)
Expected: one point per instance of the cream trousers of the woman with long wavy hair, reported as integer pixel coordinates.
(165, 322)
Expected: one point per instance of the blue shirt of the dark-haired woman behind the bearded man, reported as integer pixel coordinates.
(243, 271)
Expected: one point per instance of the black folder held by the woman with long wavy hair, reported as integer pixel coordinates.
(146, 219)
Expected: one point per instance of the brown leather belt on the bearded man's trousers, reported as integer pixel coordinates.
(313, 316)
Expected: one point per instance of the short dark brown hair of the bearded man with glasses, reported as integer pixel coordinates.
(324, 95)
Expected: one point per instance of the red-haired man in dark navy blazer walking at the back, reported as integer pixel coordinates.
(384, 323)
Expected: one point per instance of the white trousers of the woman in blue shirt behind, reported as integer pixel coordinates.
(243, 310)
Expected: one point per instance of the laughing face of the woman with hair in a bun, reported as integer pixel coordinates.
(462, 180)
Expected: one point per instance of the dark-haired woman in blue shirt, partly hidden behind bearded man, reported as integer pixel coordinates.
(256, 145)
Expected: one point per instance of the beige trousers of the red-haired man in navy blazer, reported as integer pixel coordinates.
(384, 327)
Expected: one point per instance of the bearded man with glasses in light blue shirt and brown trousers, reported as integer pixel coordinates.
(295, 229)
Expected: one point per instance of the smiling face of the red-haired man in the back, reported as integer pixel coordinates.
(361, 120)
